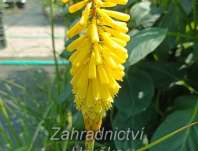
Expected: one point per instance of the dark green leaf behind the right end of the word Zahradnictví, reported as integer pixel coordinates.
(138, 123)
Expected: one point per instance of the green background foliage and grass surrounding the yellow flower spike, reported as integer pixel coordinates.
(159, 92)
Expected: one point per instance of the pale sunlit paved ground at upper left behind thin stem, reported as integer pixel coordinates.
(28, 33)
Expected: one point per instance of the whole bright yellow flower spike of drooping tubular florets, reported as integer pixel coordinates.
(97, 57)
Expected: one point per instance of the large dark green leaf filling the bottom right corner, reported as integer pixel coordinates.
(183, 141)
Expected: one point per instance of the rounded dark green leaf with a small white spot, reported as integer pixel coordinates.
(136, 93)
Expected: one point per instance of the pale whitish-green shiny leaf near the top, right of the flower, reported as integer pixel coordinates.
(144, 14)
